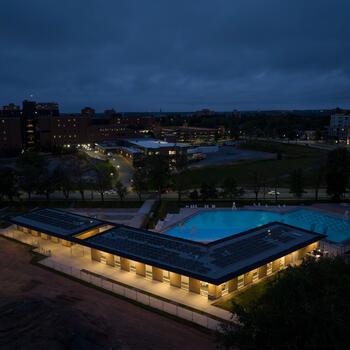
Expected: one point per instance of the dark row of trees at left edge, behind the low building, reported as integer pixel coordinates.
(33, 173)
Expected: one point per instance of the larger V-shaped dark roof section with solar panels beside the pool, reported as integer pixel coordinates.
(215, 262)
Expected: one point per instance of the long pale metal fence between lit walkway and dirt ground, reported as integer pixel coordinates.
(134, 294)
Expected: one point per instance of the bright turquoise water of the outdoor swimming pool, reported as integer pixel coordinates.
(213, 225)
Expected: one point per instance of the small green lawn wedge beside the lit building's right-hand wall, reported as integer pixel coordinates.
(246, 296)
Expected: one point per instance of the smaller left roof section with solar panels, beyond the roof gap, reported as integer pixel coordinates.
(55, 222)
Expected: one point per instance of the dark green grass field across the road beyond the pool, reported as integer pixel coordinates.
(293, 157)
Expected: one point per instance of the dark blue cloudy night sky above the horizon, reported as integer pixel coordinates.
(176, 55)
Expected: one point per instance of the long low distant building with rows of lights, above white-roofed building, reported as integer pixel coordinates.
(187, 133)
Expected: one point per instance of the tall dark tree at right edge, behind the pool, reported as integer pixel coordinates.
(338, 170)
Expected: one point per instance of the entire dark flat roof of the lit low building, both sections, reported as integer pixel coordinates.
(215, 262)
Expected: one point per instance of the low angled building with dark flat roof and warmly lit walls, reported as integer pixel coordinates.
(211, 269)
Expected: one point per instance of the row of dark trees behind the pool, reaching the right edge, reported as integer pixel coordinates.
(155, 174)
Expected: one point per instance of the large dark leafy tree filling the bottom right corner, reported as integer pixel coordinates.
(290, 313)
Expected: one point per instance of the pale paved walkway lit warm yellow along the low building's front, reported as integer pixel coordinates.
(79, 257)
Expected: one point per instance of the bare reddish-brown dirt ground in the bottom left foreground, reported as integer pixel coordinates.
(42, 310)
